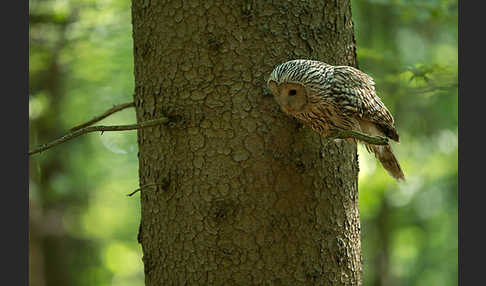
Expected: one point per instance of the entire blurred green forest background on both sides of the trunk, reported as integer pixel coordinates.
(83, 227)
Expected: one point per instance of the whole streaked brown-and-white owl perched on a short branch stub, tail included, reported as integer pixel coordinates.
(330, 97)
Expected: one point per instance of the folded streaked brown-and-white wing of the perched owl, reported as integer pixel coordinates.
(354, 91)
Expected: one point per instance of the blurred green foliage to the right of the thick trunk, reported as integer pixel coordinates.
(410, 48)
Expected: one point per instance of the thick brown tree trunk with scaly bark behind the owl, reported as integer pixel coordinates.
(245, 194)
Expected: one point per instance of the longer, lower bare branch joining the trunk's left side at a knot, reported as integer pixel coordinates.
(71, 135)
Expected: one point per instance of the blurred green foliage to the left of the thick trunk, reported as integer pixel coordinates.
(81, 63)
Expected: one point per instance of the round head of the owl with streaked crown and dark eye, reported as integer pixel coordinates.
(292, 82)
